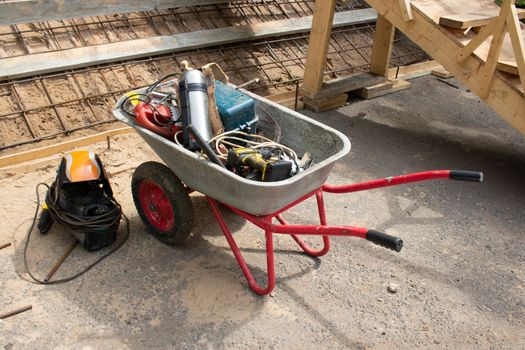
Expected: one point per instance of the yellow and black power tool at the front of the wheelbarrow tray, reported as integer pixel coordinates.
(260, 169)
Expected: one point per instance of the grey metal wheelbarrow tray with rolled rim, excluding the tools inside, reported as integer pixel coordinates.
(325, 145)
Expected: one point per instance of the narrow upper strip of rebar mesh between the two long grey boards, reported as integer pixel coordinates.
(19, 40)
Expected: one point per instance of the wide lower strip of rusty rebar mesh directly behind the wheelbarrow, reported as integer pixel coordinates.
(279, 63)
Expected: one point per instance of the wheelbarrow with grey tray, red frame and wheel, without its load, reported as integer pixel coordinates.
(161, 192)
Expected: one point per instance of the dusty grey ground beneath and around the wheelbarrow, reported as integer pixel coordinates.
(461, 273)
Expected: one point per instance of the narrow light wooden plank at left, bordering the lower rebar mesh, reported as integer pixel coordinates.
(60, 147)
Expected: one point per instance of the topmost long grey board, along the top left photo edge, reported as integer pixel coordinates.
(28, 11)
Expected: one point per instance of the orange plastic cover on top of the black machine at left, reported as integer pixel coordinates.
(82, 166)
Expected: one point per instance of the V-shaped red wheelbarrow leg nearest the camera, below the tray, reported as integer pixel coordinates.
(238, 256)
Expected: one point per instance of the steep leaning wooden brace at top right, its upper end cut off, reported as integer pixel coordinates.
(495, 48)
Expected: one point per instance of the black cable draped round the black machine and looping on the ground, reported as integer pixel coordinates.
(83, 225)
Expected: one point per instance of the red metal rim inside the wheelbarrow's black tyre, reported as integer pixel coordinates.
(156, 205)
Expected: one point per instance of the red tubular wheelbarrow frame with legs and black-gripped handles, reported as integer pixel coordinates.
(266, 222)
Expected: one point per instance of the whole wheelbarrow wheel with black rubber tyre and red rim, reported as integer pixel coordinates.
(162, 202)
